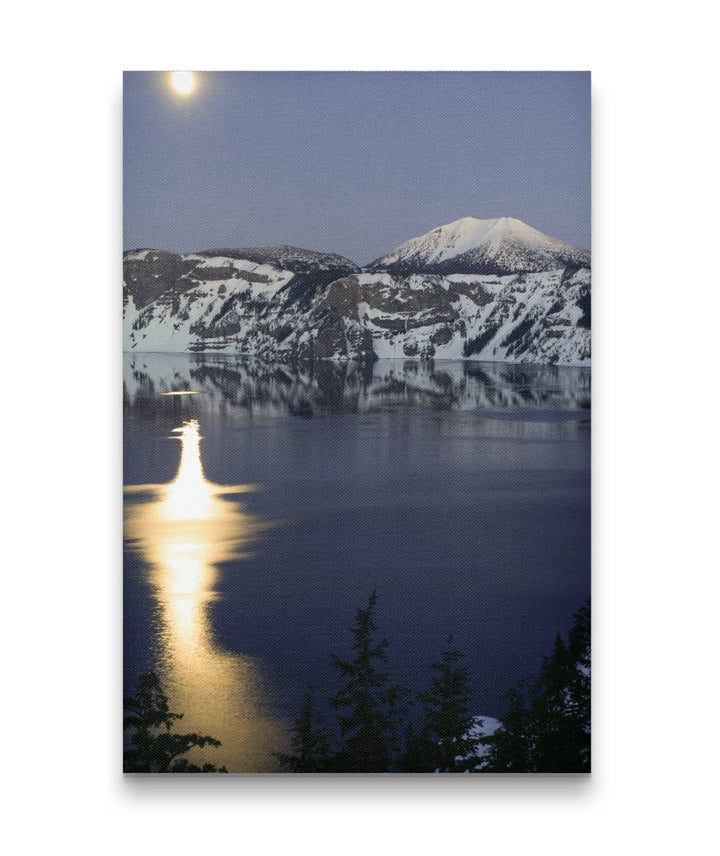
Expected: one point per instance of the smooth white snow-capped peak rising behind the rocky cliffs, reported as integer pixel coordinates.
(469, 245)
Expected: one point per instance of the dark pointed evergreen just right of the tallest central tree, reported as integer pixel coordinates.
(447, 721)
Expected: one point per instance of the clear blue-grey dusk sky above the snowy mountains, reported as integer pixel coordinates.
(354, 163)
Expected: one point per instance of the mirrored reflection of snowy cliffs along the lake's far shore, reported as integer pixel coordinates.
(245, 386)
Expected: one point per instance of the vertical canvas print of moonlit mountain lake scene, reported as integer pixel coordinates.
(356, 334)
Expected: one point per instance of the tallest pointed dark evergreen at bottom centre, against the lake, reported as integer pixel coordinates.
(368, 705)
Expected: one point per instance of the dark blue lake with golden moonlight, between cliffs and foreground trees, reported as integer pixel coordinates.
(264, 504)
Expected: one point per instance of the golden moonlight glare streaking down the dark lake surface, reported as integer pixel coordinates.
(184, 531)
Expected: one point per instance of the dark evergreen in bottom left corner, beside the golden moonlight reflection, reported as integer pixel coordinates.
(151, 747)
